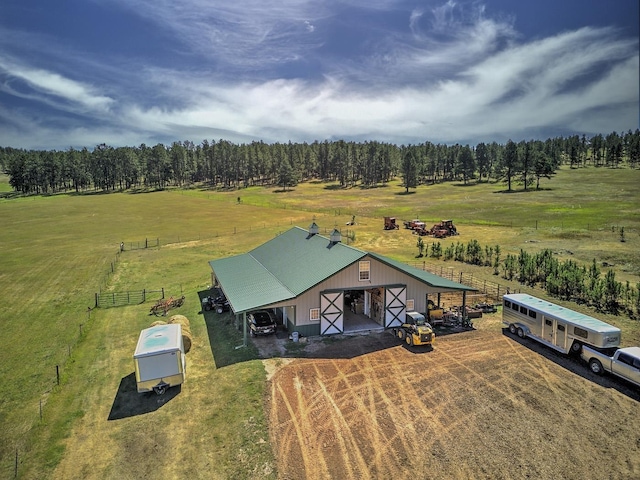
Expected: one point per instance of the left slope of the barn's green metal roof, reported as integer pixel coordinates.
(281, 268)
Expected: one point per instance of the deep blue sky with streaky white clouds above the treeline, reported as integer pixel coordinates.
(125, 72)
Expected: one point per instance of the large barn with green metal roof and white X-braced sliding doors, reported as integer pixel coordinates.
(321, 286)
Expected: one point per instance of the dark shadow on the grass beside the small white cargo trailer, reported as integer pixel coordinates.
(129, 403)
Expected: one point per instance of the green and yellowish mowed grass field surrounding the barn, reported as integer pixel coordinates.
(59, 250)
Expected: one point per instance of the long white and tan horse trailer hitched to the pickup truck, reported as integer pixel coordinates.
(558, 327)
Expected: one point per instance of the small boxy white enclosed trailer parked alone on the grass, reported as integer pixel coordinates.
(159, 358)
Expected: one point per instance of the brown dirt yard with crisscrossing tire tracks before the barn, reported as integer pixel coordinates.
(482, 404)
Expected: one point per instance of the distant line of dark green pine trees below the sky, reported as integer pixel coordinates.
(223, 164)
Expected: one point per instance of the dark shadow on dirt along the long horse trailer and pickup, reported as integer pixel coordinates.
(575, 364)
